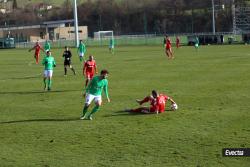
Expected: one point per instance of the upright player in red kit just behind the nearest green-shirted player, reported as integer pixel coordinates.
(89, 69)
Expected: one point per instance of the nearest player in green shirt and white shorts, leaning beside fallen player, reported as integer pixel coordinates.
(94, 92)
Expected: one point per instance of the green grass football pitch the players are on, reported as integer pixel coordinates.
(211, 87)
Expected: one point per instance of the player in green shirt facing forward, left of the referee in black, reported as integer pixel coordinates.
(49, 63)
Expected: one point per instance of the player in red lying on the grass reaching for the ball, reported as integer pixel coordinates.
(157, 103)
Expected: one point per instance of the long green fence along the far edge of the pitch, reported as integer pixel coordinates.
(128, 40)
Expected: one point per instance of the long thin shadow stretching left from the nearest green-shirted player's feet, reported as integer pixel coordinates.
(42, 120)
